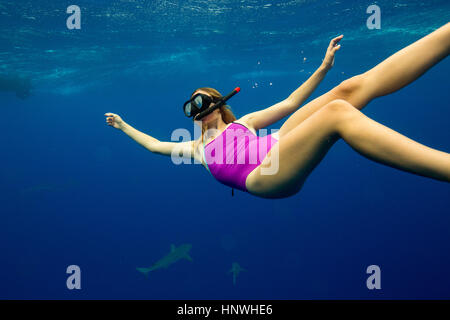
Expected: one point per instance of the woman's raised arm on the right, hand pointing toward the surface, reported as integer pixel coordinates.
(263, 118)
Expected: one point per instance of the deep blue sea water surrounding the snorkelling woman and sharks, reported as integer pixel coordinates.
(74, 191)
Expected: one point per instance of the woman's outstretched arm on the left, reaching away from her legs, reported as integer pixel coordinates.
(148, 142)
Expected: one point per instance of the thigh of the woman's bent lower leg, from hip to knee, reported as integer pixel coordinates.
(290, 161)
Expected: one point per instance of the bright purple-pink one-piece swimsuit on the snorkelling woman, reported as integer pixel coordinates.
(232, 155)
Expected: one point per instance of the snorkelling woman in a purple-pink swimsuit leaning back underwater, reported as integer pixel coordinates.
(307, 135)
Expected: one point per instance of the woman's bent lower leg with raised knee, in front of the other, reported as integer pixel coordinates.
(302, 149)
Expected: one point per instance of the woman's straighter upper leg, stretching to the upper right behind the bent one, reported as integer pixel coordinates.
(392, 74)
